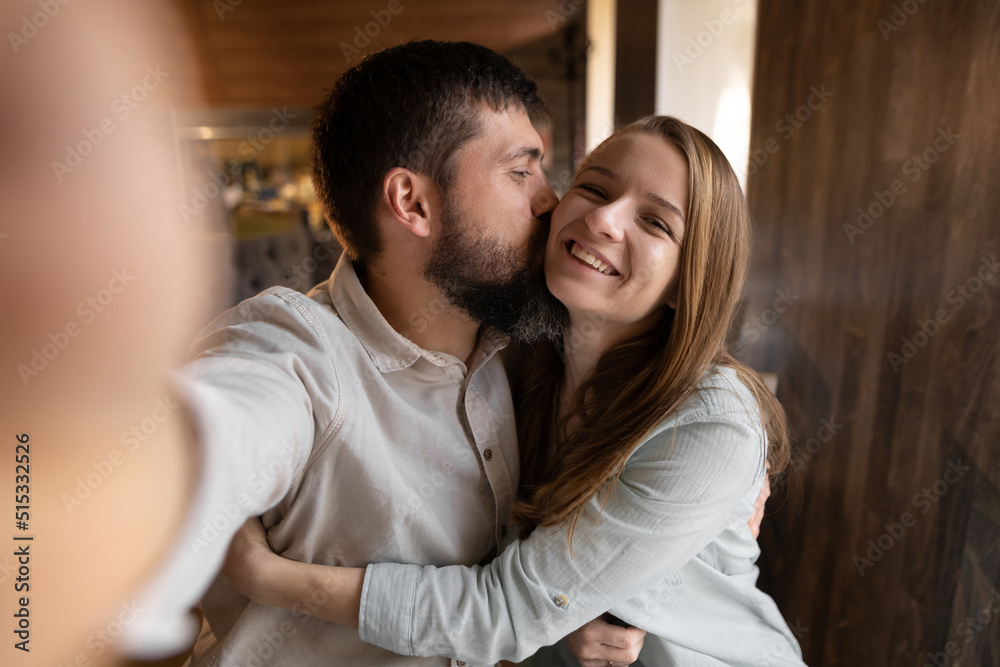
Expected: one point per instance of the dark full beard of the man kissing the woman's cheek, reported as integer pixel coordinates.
(498, 285)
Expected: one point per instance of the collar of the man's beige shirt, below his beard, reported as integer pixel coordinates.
(389, 350)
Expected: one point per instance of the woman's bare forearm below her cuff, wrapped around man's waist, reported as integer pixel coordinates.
(324, 591)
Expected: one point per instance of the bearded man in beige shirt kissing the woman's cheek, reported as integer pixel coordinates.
(371, 420)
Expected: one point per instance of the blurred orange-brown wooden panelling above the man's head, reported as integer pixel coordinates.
(258, 53)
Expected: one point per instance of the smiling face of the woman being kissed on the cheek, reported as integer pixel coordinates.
(616, 235)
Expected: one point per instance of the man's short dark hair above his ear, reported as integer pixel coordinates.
(410, 106)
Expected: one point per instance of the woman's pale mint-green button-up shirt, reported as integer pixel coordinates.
(671, 553)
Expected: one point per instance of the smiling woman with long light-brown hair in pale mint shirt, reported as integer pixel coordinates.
(661, 441)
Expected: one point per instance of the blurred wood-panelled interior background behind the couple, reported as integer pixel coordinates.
(867, 136)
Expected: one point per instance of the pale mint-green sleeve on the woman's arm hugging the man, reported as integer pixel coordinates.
(679, 490)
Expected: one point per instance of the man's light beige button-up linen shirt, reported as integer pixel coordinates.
(356, 445)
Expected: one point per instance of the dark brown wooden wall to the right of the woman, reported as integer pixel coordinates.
(916, 440)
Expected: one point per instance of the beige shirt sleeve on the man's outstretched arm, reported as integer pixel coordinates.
(248, 392)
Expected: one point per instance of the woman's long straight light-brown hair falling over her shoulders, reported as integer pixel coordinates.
(639, 382)
